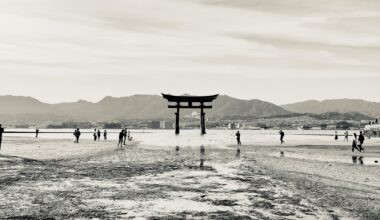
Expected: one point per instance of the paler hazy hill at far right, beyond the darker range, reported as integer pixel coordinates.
(336, 105)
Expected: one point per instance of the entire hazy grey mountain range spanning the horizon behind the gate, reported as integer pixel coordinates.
(28, 109)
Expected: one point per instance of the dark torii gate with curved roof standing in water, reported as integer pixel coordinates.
(190, 100)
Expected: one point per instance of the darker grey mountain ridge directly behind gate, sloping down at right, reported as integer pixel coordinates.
(28, 109)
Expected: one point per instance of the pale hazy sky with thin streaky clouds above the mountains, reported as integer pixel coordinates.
(280, 51)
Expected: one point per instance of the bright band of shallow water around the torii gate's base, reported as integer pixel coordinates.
(218, 138)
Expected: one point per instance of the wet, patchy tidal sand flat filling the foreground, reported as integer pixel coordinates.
(58, 179)
